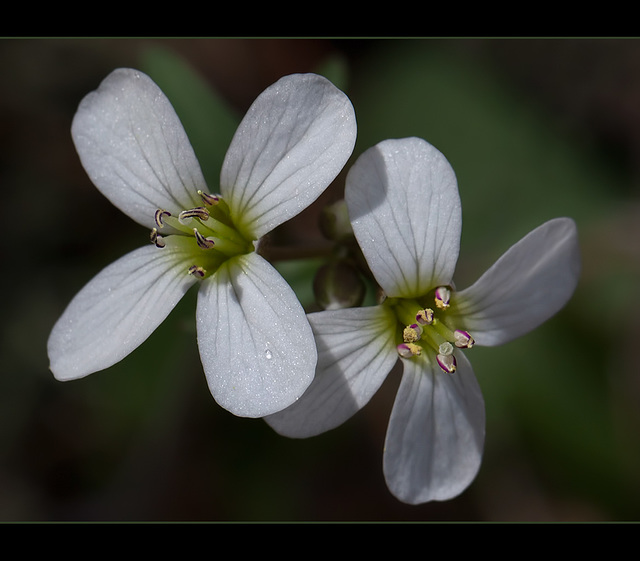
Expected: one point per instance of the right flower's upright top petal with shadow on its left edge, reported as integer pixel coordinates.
(405, 211)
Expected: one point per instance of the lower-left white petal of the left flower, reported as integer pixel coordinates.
(117, 310)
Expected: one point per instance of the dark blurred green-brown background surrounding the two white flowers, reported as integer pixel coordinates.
(534, 129)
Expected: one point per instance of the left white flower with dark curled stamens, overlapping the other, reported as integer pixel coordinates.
(255, 342)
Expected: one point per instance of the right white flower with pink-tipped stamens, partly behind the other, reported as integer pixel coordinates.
(405, 210)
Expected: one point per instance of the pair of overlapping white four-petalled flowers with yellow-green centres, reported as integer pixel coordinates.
(262, 355)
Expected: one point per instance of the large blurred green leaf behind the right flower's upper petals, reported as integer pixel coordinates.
(515, 168)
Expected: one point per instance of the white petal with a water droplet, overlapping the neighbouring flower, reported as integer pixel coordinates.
(255, 342)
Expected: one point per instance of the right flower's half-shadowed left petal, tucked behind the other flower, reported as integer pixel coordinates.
(356, 351)
